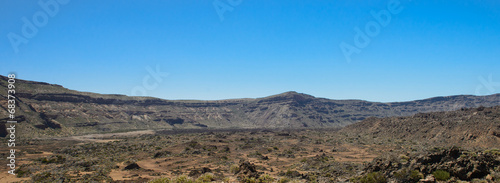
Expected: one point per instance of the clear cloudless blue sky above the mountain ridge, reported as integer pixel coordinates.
(259, 48)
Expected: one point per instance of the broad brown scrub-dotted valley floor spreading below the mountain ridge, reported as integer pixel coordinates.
(236, 156)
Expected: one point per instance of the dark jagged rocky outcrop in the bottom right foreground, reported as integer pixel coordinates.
(462, 165)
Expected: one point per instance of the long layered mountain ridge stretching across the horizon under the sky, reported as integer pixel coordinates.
(51, 110)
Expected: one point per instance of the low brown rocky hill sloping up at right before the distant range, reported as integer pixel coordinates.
(468, 127)
